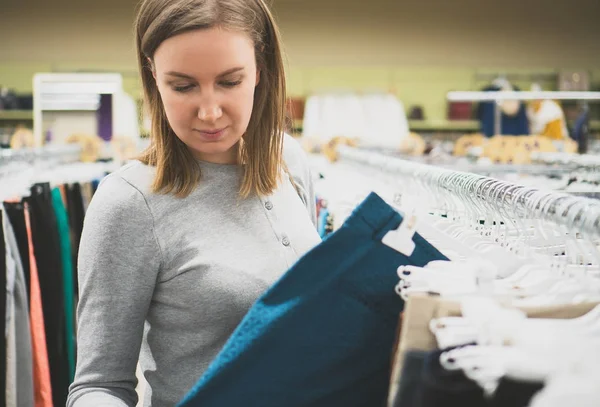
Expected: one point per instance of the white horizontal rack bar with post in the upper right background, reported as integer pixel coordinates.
(468, 96)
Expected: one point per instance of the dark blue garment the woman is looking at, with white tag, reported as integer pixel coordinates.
(323, 334)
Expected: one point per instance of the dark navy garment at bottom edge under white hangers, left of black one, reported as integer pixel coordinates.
(441, 387)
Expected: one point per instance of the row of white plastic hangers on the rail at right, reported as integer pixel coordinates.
(508, 245)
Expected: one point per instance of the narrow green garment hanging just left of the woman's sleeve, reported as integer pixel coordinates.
(65, 253)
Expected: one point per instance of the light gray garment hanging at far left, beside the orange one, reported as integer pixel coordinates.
(19, 357)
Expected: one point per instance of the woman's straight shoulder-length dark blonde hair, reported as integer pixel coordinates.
(261, 148)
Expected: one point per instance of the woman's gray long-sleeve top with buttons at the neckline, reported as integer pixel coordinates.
(169, 279)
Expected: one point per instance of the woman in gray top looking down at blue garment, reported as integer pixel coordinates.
(177, 247)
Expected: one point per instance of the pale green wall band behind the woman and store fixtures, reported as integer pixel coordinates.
(425, 86)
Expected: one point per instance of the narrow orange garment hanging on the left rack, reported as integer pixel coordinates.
(41, 369)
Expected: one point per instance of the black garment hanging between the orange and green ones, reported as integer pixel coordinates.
(46, 246)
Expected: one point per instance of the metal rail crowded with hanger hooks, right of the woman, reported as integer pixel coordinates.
(577, 214)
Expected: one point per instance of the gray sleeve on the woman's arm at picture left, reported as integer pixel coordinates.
(119, 259)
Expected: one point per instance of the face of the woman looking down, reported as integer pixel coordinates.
(206, 79)
